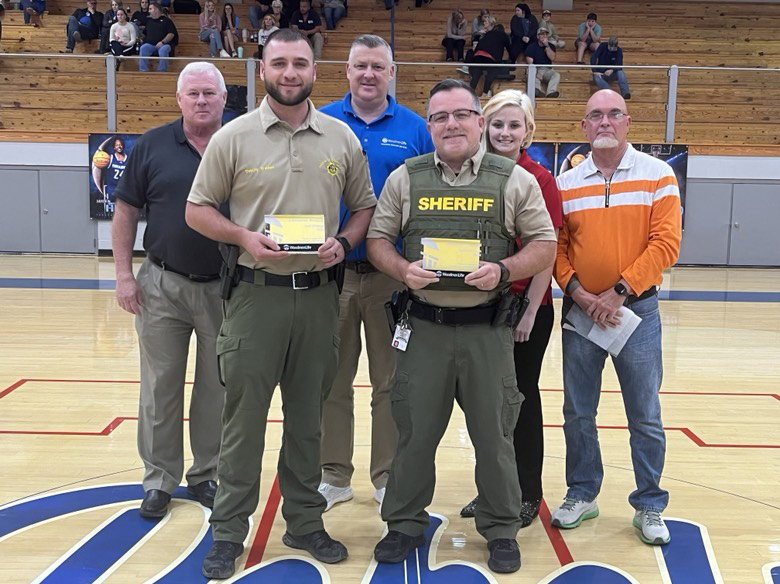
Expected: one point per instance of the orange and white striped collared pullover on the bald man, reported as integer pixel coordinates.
(628, 226)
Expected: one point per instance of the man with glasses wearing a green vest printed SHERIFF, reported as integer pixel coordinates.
(453, 349)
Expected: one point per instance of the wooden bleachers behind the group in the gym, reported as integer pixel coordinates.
(63, 98)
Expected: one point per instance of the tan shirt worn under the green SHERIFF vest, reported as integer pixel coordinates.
(525, 214)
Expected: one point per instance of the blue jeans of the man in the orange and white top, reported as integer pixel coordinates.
(639, 368)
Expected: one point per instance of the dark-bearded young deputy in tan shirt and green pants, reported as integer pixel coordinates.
(281, 321)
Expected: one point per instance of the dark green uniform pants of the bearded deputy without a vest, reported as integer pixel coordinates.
(274, 335)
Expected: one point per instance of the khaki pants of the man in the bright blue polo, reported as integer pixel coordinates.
(362, 300)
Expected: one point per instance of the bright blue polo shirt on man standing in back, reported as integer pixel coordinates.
(398, 134)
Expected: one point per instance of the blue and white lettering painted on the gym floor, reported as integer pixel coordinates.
(688, 558)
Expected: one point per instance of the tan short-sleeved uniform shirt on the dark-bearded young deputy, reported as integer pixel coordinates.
(263, 167)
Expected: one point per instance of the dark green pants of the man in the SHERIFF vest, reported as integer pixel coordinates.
(474, 365)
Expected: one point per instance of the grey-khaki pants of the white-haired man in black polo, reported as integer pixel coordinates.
(174, 307)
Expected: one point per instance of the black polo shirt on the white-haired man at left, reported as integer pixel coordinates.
(158, 175)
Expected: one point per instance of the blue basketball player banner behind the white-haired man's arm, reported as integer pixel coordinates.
(108, 156)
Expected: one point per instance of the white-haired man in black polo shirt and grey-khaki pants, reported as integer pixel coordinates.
(176, 292)
